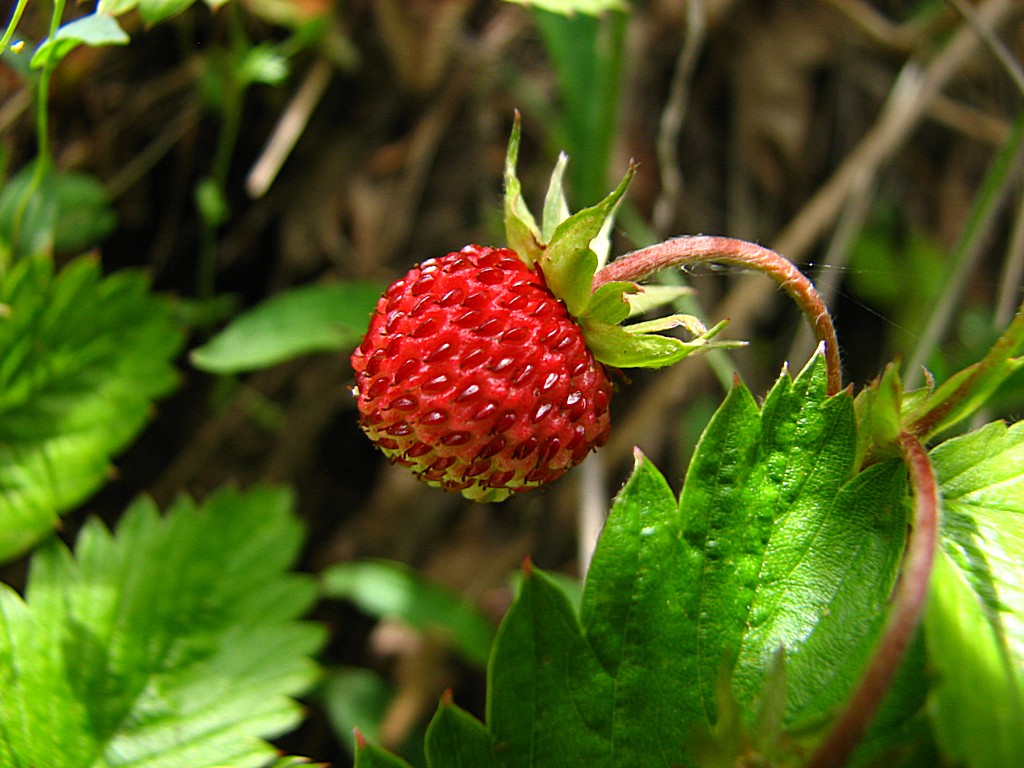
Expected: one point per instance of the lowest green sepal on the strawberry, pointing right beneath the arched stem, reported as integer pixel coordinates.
(619, 348)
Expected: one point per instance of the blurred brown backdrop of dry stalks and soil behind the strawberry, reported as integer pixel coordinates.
(264, 146)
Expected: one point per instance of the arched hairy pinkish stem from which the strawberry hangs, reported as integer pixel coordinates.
(679, 252)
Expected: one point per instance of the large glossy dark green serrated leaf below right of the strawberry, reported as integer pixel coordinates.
(776, 542)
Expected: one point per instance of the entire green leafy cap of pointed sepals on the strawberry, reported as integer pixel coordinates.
(569, 249)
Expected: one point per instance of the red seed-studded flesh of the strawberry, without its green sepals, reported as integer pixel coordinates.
(476, 377)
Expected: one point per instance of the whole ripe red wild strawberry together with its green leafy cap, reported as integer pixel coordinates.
(484, 371)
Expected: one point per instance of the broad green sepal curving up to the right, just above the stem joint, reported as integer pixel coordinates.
(569, 262)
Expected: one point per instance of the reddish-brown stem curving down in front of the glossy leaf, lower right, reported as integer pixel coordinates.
(908, 606)
